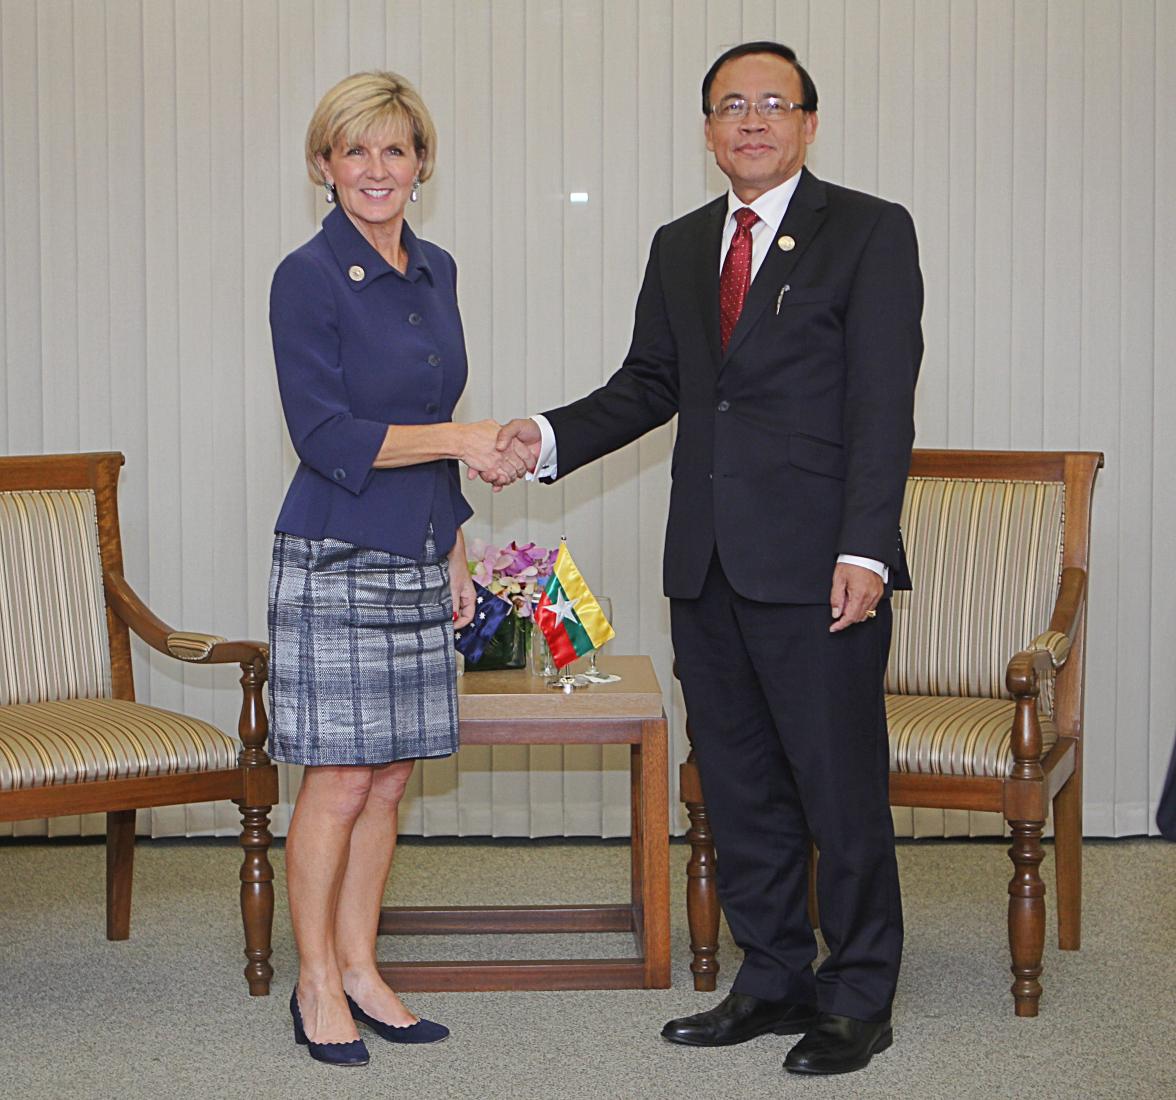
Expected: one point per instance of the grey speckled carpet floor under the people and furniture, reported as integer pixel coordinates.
(168, 1015)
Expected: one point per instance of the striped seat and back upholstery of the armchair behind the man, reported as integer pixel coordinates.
(986, 565)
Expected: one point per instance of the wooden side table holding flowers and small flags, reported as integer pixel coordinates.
(517, 709)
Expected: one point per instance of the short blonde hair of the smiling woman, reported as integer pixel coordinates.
(364, 105)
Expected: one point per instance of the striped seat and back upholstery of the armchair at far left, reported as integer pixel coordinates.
(58, 722)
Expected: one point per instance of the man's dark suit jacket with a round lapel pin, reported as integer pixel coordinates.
(794, 446)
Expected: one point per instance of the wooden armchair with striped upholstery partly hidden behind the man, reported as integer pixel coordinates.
(985, 684)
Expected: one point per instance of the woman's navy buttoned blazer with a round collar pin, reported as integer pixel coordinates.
(360, 346)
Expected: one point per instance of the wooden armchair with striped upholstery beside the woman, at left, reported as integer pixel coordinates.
(72, 738)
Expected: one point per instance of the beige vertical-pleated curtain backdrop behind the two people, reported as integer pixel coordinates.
(151, 178)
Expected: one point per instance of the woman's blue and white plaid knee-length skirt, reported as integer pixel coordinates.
(362, 658)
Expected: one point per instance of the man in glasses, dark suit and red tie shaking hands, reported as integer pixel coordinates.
(781, 325)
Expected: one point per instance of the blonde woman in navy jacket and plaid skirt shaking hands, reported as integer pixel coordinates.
(370, 564)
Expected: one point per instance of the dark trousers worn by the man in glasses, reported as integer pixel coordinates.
(790, 731)
